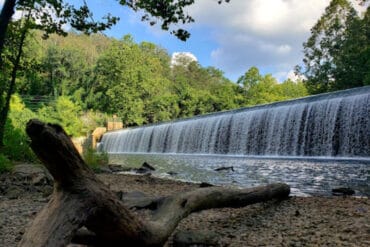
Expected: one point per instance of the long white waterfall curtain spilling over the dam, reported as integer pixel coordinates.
(333, 124)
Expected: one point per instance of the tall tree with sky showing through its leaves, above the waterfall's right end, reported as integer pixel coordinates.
(324, 46)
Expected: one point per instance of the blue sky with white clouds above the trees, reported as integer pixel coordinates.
(232, 36)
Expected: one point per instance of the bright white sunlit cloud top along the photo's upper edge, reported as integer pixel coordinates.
(267, 17)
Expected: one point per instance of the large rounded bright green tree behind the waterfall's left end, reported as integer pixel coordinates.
(130, 81)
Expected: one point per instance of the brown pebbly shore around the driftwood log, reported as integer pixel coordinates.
(297, 221)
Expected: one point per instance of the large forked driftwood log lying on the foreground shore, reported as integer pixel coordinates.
(80, 199)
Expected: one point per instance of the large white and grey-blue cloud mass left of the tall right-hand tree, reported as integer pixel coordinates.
(258, 33)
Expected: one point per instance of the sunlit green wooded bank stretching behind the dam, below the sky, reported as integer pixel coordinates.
(134, 81)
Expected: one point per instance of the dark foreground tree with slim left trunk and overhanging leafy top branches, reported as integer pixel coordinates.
(50, 16)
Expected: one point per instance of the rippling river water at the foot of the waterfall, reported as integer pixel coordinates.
(306, 177)
